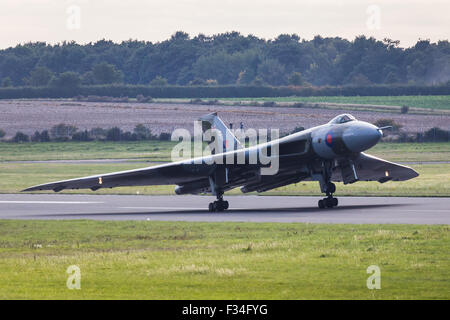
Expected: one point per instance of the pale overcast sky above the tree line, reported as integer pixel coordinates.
(86, 21)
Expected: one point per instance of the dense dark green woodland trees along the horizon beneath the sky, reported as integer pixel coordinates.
(227, 59)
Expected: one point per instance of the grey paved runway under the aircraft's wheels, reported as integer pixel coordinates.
(357, 210)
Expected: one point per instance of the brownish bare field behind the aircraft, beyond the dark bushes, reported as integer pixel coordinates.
(31, 115)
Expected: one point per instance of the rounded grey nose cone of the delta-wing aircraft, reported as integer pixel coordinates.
(361, 136)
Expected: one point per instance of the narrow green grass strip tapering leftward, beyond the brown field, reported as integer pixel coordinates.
(426, 102)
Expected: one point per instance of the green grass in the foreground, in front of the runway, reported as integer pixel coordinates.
(178, 260)
